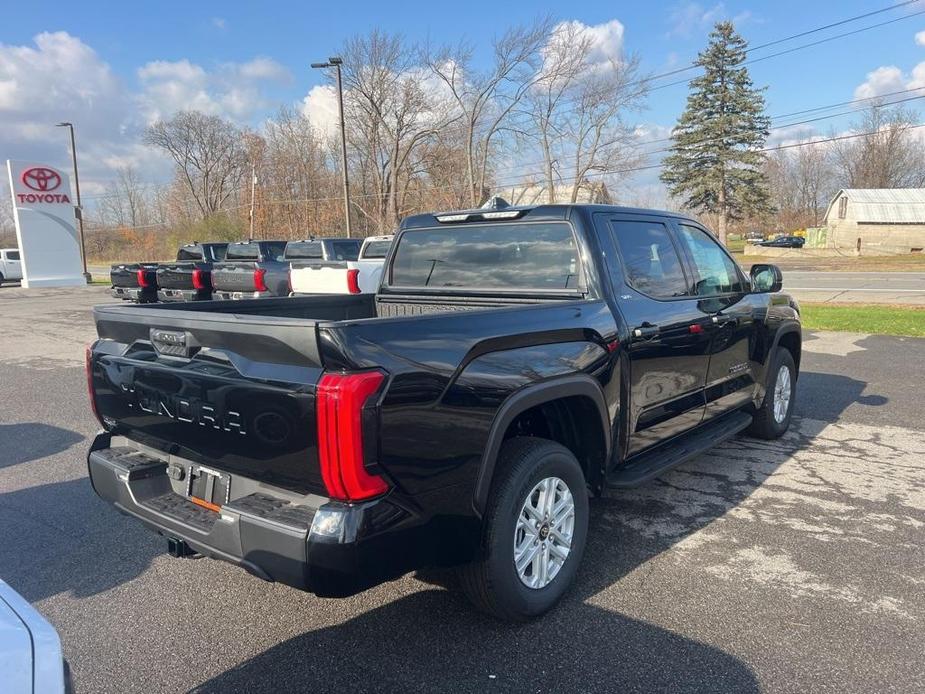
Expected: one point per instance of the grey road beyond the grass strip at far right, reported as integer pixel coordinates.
(857, 287)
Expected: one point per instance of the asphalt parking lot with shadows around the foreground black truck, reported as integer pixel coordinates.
(794, 565)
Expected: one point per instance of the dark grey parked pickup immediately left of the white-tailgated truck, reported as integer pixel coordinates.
(252, 270)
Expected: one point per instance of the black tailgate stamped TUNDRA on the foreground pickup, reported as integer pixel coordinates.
(231, 391)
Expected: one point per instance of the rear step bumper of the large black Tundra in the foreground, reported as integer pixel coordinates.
(329, 548)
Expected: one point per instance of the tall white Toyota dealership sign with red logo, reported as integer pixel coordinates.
(45, 225)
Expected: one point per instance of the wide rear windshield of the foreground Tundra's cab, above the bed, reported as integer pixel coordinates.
(538, 256)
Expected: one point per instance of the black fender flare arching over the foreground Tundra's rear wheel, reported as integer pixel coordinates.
(522, 400)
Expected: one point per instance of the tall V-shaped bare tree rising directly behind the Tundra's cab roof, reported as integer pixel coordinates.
(486, 99)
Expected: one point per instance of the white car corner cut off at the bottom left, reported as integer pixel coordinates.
(31, 661)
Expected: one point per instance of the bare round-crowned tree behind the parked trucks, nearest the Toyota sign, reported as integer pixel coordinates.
(210, 155)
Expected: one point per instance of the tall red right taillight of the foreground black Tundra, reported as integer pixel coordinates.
(339, 400)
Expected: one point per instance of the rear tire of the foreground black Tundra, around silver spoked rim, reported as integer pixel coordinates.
(492, 582)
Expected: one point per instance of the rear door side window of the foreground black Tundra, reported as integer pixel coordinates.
(650, 261)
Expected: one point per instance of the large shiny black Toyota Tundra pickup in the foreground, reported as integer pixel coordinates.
(513, 363)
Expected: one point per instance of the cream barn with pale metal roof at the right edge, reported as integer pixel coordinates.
(884, 219)
